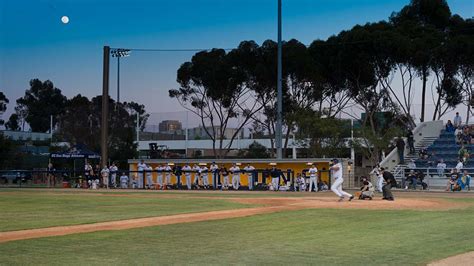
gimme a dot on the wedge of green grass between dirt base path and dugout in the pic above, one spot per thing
(38, 210)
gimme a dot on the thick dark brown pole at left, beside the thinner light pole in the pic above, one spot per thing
(105, 107)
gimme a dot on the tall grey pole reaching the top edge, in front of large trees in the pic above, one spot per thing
(278, 132)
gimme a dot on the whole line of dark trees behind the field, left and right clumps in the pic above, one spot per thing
(377, 68)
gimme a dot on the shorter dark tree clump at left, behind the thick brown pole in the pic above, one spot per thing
(77, 120)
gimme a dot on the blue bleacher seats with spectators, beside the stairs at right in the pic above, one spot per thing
(445, 148)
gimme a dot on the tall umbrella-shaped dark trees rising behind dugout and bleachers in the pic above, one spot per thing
(374, 67)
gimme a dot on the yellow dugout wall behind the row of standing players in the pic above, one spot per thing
(294, 165)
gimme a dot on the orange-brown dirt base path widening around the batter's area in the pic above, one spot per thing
(270, 205)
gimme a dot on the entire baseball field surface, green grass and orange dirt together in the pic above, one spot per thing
(75, 227)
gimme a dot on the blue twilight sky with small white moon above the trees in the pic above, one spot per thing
(35, 44)
